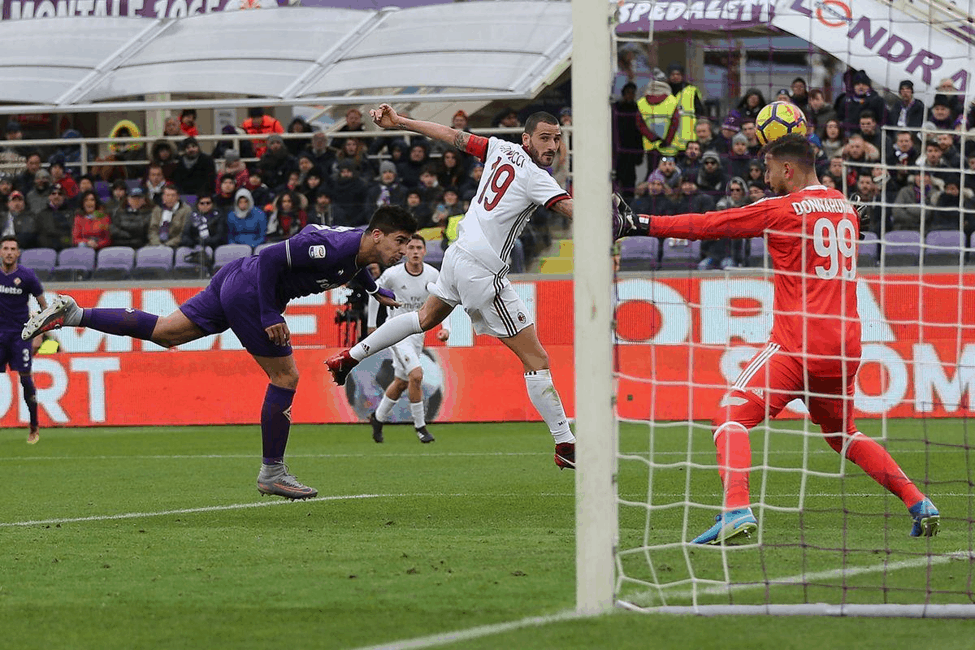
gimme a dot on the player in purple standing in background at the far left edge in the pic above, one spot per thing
(17, 285)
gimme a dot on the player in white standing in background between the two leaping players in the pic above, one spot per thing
(411, 282)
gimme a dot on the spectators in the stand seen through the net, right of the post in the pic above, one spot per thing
(910, 163)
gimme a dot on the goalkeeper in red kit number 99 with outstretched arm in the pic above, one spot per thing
(813, 352)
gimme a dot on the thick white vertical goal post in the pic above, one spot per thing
(596, 507)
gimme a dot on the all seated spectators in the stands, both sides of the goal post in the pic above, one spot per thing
(911, 163)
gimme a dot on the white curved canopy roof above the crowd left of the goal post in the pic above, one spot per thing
(287, 56)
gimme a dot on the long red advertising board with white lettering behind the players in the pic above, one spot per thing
(681, 342)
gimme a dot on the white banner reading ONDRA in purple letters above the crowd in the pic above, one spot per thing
(887, 43)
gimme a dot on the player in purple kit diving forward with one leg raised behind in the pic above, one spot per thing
(249, 296)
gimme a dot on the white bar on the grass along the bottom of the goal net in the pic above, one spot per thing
(814, 609)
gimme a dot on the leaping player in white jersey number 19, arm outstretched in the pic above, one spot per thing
(474, 270)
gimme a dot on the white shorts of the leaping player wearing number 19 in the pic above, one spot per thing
(488, 298)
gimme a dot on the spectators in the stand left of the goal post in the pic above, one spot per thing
(253, 192)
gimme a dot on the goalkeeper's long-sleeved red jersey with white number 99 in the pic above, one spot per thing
(812, 239)
